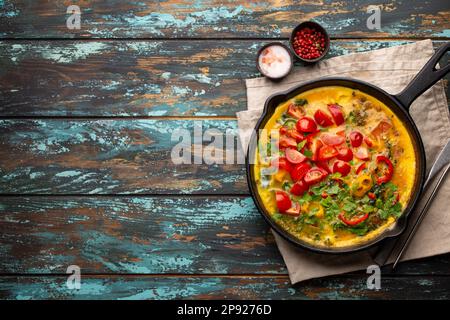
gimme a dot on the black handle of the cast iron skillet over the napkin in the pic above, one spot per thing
(426, 77)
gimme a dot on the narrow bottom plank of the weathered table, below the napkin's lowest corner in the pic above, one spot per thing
(248, 287)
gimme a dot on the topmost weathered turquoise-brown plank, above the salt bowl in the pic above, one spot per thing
(214, 18)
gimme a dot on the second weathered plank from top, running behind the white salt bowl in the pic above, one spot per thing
(134, 78)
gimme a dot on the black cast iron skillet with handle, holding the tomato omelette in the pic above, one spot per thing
(399, 104)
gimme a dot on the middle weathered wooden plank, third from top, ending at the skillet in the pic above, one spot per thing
(110, 157)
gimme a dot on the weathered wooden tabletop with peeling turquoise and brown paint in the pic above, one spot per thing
(85, 172)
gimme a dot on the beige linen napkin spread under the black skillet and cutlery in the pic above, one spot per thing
(391, 69)
